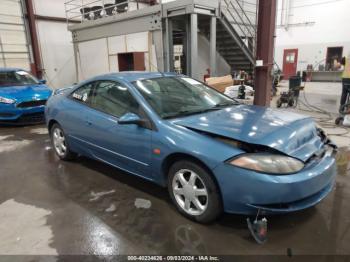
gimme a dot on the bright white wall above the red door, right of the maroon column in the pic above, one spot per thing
(330, 29)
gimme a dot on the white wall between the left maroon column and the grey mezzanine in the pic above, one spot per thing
(55, 43)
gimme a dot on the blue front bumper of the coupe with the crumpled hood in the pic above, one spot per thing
(245, 192)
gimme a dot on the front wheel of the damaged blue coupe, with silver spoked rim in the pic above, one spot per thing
(194, 192)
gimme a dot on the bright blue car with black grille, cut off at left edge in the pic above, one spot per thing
(22, 97)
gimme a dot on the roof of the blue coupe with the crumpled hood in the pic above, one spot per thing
(135, 75)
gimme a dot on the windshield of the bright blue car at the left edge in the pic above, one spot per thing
(17, 78)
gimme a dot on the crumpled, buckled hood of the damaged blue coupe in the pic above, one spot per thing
(292, 134)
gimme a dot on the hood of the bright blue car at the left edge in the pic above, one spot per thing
(25, 92)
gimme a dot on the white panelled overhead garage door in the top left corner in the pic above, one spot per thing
(14, 51)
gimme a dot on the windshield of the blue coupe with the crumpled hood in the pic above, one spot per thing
(173, 97)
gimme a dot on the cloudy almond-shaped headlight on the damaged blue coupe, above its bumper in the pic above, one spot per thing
(268, 163)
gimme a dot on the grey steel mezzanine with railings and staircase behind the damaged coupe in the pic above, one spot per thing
(170, 23)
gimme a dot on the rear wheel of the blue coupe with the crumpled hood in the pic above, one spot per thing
(60, 144)
